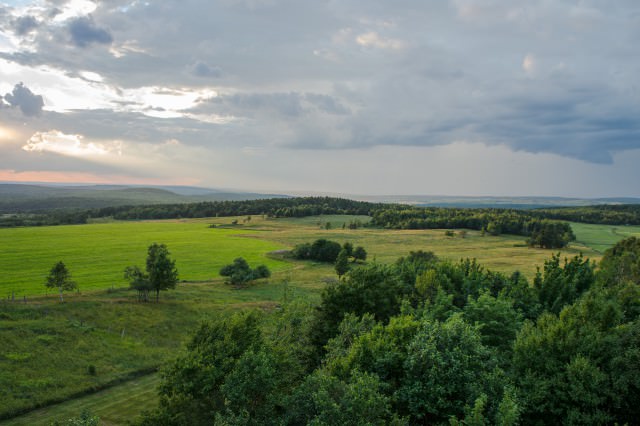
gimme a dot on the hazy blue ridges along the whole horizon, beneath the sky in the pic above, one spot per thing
(32, 197)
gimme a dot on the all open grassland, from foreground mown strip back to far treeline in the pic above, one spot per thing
(101, 336)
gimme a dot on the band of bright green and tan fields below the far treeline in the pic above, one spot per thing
(97, 254)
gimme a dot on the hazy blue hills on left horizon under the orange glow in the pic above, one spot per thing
(24, 198)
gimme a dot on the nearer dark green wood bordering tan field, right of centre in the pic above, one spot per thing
(541, 231)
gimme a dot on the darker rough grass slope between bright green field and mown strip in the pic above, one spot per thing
(48, 346)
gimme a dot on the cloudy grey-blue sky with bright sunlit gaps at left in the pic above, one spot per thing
(424, 97)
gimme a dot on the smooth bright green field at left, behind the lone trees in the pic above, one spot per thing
(97, 254)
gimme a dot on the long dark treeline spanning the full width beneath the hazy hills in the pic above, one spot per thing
(494, 221)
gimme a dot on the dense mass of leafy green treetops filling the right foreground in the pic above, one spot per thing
(423, 341)
